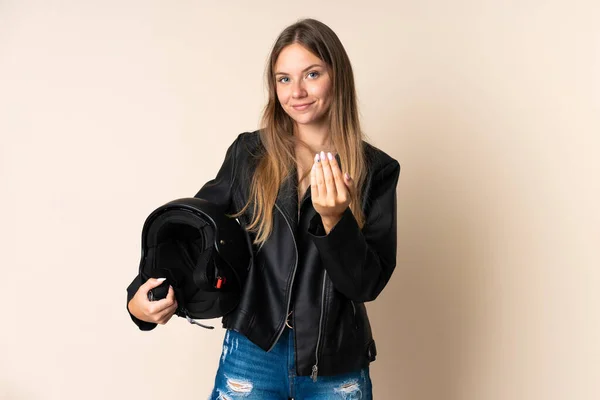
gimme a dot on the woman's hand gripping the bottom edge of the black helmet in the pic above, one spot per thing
(158, 312)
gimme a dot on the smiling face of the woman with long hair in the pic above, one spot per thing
(303, 85)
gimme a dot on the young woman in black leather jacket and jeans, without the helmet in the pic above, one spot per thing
(320, 205)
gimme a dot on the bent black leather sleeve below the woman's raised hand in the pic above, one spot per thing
(361, 262)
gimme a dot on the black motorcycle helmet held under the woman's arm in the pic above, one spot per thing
(203, 253)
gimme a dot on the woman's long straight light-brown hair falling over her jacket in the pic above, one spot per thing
(277, 129)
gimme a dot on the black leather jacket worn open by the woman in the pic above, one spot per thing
(324, 279)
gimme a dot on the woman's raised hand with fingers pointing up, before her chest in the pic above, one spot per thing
(330, 189)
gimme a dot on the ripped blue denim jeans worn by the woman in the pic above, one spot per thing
(248, 372)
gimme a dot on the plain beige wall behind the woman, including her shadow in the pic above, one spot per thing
(110, 108)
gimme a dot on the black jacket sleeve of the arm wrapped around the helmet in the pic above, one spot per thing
(218, 191)
